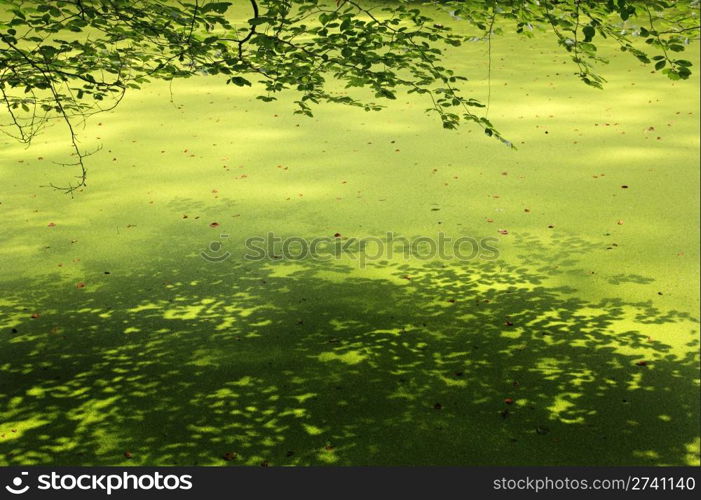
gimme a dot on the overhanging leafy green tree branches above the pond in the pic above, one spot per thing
(69, 59)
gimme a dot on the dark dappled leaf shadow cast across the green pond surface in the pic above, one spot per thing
(180, 361)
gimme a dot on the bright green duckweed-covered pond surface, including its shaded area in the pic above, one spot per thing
(577, 344)
